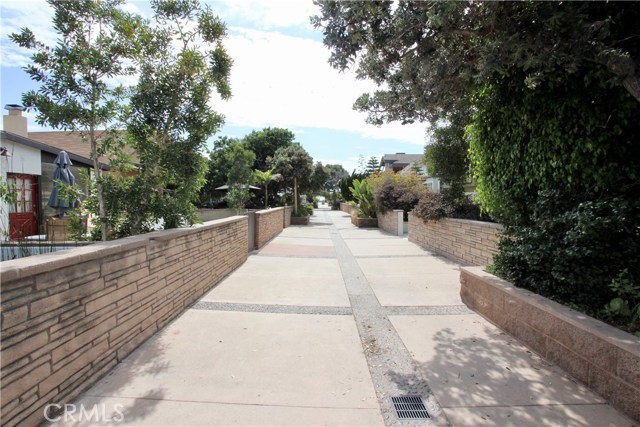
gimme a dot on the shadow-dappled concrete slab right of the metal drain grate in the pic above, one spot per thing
(471, 363)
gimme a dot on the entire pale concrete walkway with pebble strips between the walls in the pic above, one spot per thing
(321, 327)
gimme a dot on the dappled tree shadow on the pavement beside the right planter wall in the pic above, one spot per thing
(482, 376)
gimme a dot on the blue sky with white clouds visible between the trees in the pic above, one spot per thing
(280, 78)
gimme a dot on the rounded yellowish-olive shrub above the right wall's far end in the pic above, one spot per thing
(396, 191)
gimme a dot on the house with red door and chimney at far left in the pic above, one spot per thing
(28, 164)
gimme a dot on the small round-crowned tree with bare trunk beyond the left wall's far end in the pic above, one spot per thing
(295, 165)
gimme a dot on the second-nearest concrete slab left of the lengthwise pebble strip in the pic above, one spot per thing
(260, 280)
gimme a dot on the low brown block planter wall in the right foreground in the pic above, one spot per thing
(604, 358)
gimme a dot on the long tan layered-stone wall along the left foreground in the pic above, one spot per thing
(69, 317)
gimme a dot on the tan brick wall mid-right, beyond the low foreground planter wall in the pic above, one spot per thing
(467, 242)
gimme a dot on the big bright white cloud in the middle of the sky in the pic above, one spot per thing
(279, 80)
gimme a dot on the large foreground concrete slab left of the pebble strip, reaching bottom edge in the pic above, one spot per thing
(258, 368)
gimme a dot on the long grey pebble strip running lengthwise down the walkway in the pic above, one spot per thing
(392, 369)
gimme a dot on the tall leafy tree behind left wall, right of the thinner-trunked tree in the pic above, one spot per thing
(170, 118)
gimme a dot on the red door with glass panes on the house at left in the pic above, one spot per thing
(22, 213)
